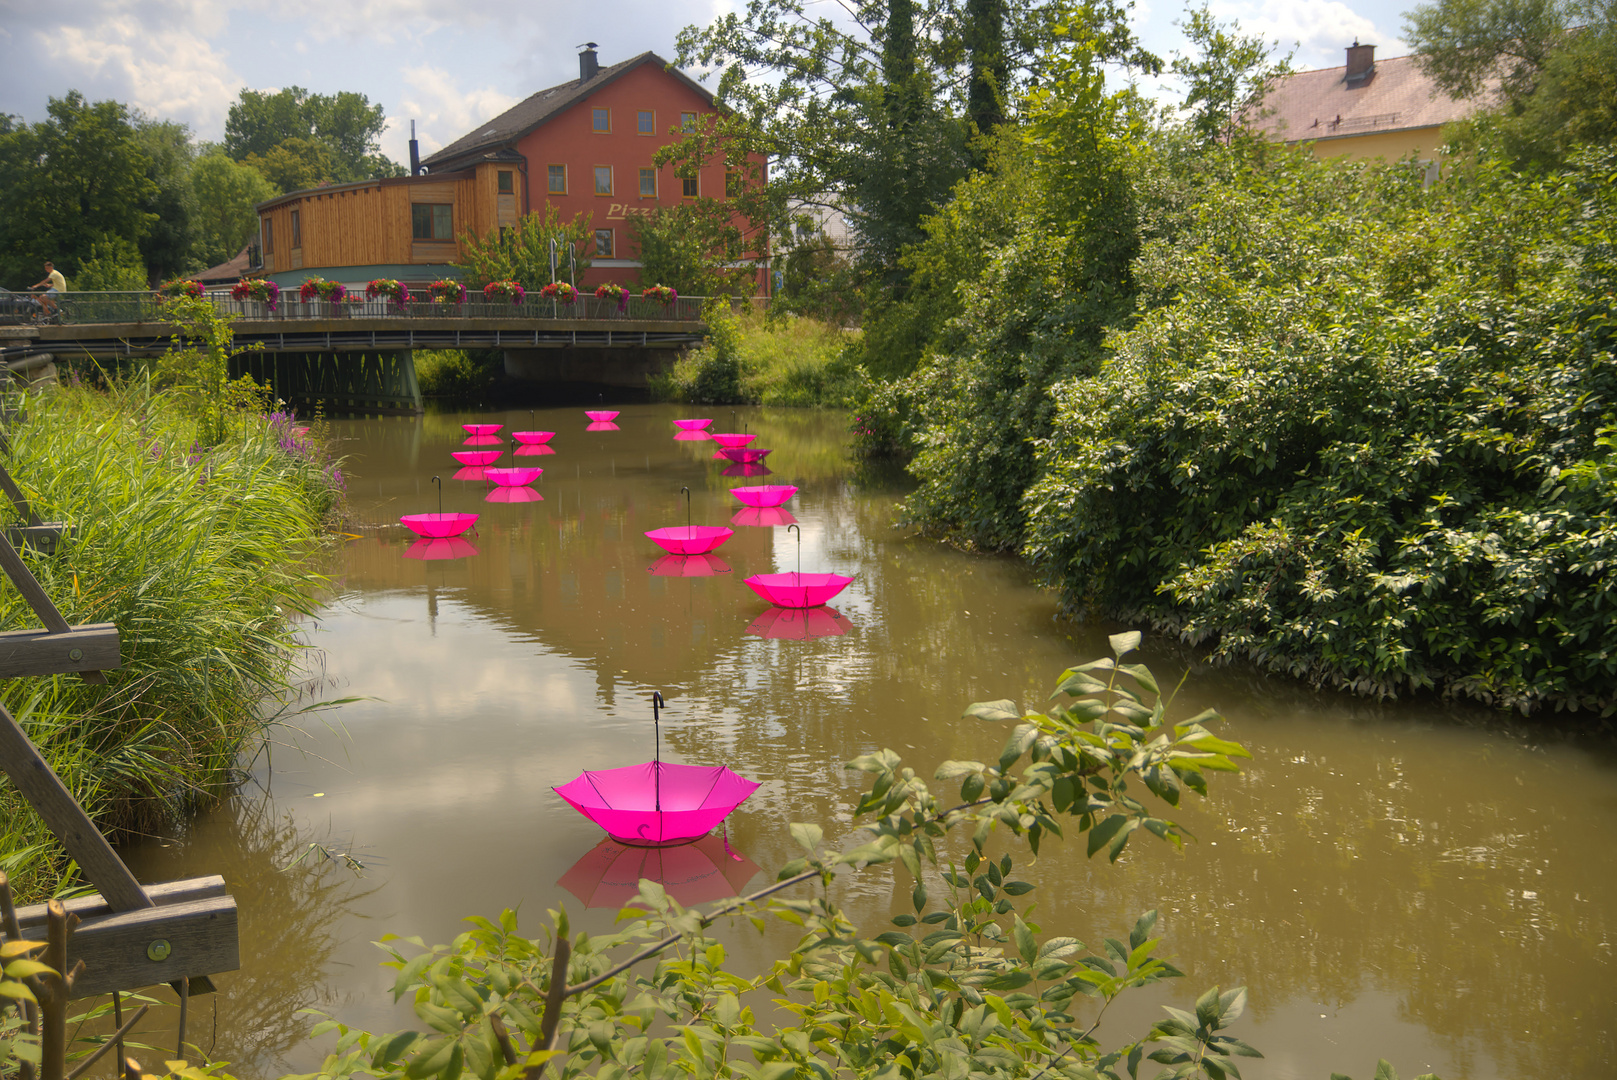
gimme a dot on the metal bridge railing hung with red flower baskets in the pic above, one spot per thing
(130, 308)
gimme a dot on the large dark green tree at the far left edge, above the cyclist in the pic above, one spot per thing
(72, 180)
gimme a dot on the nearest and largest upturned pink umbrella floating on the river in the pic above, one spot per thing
(657, 804)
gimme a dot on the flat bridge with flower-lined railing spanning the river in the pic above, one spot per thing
(358, 355)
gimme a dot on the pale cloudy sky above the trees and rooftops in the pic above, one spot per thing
(454, 65)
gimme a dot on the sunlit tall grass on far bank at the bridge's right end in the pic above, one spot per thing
(795, 361)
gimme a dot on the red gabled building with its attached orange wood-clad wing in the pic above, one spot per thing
(585, 146)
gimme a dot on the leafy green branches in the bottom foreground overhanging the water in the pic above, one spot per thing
(965, 987)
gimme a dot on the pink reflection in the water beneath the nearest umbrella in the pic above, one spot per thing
(696, 874)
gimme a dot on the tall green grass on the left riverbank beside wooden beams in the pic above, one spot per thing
(200, 557)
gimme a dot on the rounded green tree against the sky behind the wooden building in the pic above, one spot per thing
(347, 129)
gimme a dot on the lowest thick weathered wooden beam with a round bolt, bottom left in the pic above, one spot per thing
(203, 940)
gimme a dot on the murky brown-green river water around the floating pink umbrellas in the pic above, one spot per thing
(1425, 885)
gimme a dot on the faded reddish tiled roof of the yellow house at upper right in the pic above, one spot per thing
(1398, 96)
